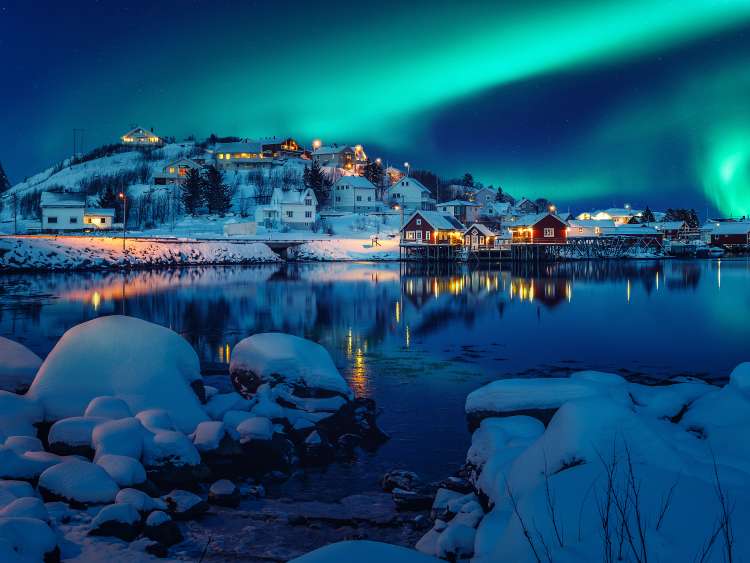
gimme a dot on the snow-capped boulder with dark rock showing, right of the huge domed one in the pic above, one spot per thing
(276, 358)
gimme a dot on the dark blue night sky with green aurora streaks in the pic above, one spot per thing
(586, 103)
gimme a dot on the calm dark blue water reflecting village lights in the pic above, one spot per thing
(418, 340)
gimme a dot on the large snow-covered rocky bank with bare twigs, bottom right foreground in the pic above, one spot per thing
(664, 444)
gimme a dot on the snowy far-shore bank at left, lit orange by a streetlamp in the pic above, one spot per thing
(81, 253)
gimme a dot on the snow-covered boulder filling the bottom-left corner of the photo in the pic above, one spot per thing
(24, 540)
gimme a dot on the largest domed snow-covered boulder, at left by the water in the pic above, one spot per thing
(144, 364)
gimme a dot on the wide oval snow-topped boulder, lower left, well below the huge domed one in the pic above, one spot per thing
(78, 483)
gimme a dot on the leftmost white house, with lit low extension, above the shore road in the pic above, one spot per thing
(66, 211)
